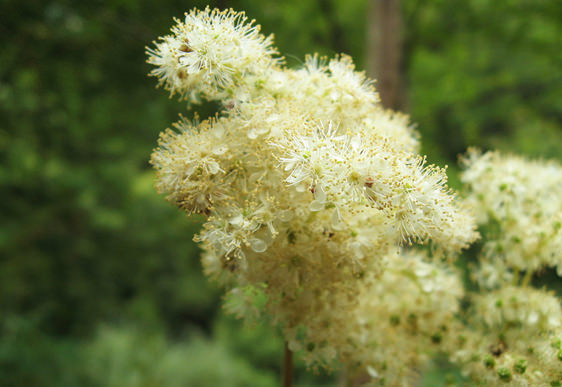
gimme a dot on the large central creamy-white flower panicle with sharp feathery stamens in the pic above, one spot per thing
(308, 187)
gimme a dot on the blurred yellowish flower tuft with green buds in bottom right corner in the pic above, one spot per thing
(515, 338)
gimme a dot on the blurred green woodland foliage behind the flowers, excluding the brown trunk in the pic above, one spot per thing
(100, 282)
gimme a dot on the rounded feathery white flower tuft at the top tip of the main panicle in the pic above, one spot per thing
(209, 52)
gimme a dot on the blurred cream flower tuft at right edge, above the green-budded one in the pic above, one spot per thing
(523, 199)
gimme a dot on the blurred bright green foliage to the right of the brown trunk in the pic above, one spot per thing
(486, 73)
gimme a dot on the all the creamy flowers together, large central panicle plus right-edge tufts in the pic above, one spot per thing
(309, 188)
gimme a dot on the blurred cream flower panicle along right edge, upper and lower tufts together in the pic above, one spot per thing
(515, 331)
